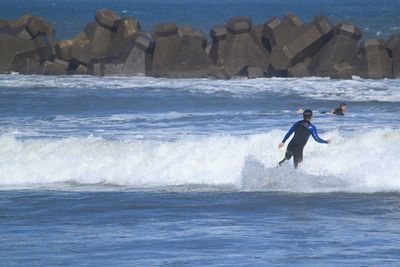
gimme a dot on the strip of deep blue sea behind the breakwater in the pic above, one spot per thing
(377, 18)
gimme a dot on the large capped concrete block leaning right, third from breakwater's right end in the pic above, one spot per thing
(342, 48)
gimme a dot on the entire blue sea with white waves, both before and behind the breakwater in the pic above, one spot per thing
(157, 172)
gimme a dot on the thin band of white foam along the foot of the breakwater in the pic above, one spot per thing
(316, 88)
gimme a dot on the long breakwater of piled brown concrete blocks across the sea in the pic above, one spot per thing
(111, 45)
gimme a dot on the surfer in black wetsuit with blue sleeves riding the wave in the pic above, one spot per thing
(302, 131)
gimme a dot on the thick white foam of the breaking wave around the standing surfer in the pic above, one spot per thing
(366, 162)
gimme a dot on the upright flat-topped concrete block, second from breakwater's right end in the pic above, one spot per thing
(375, 61)
